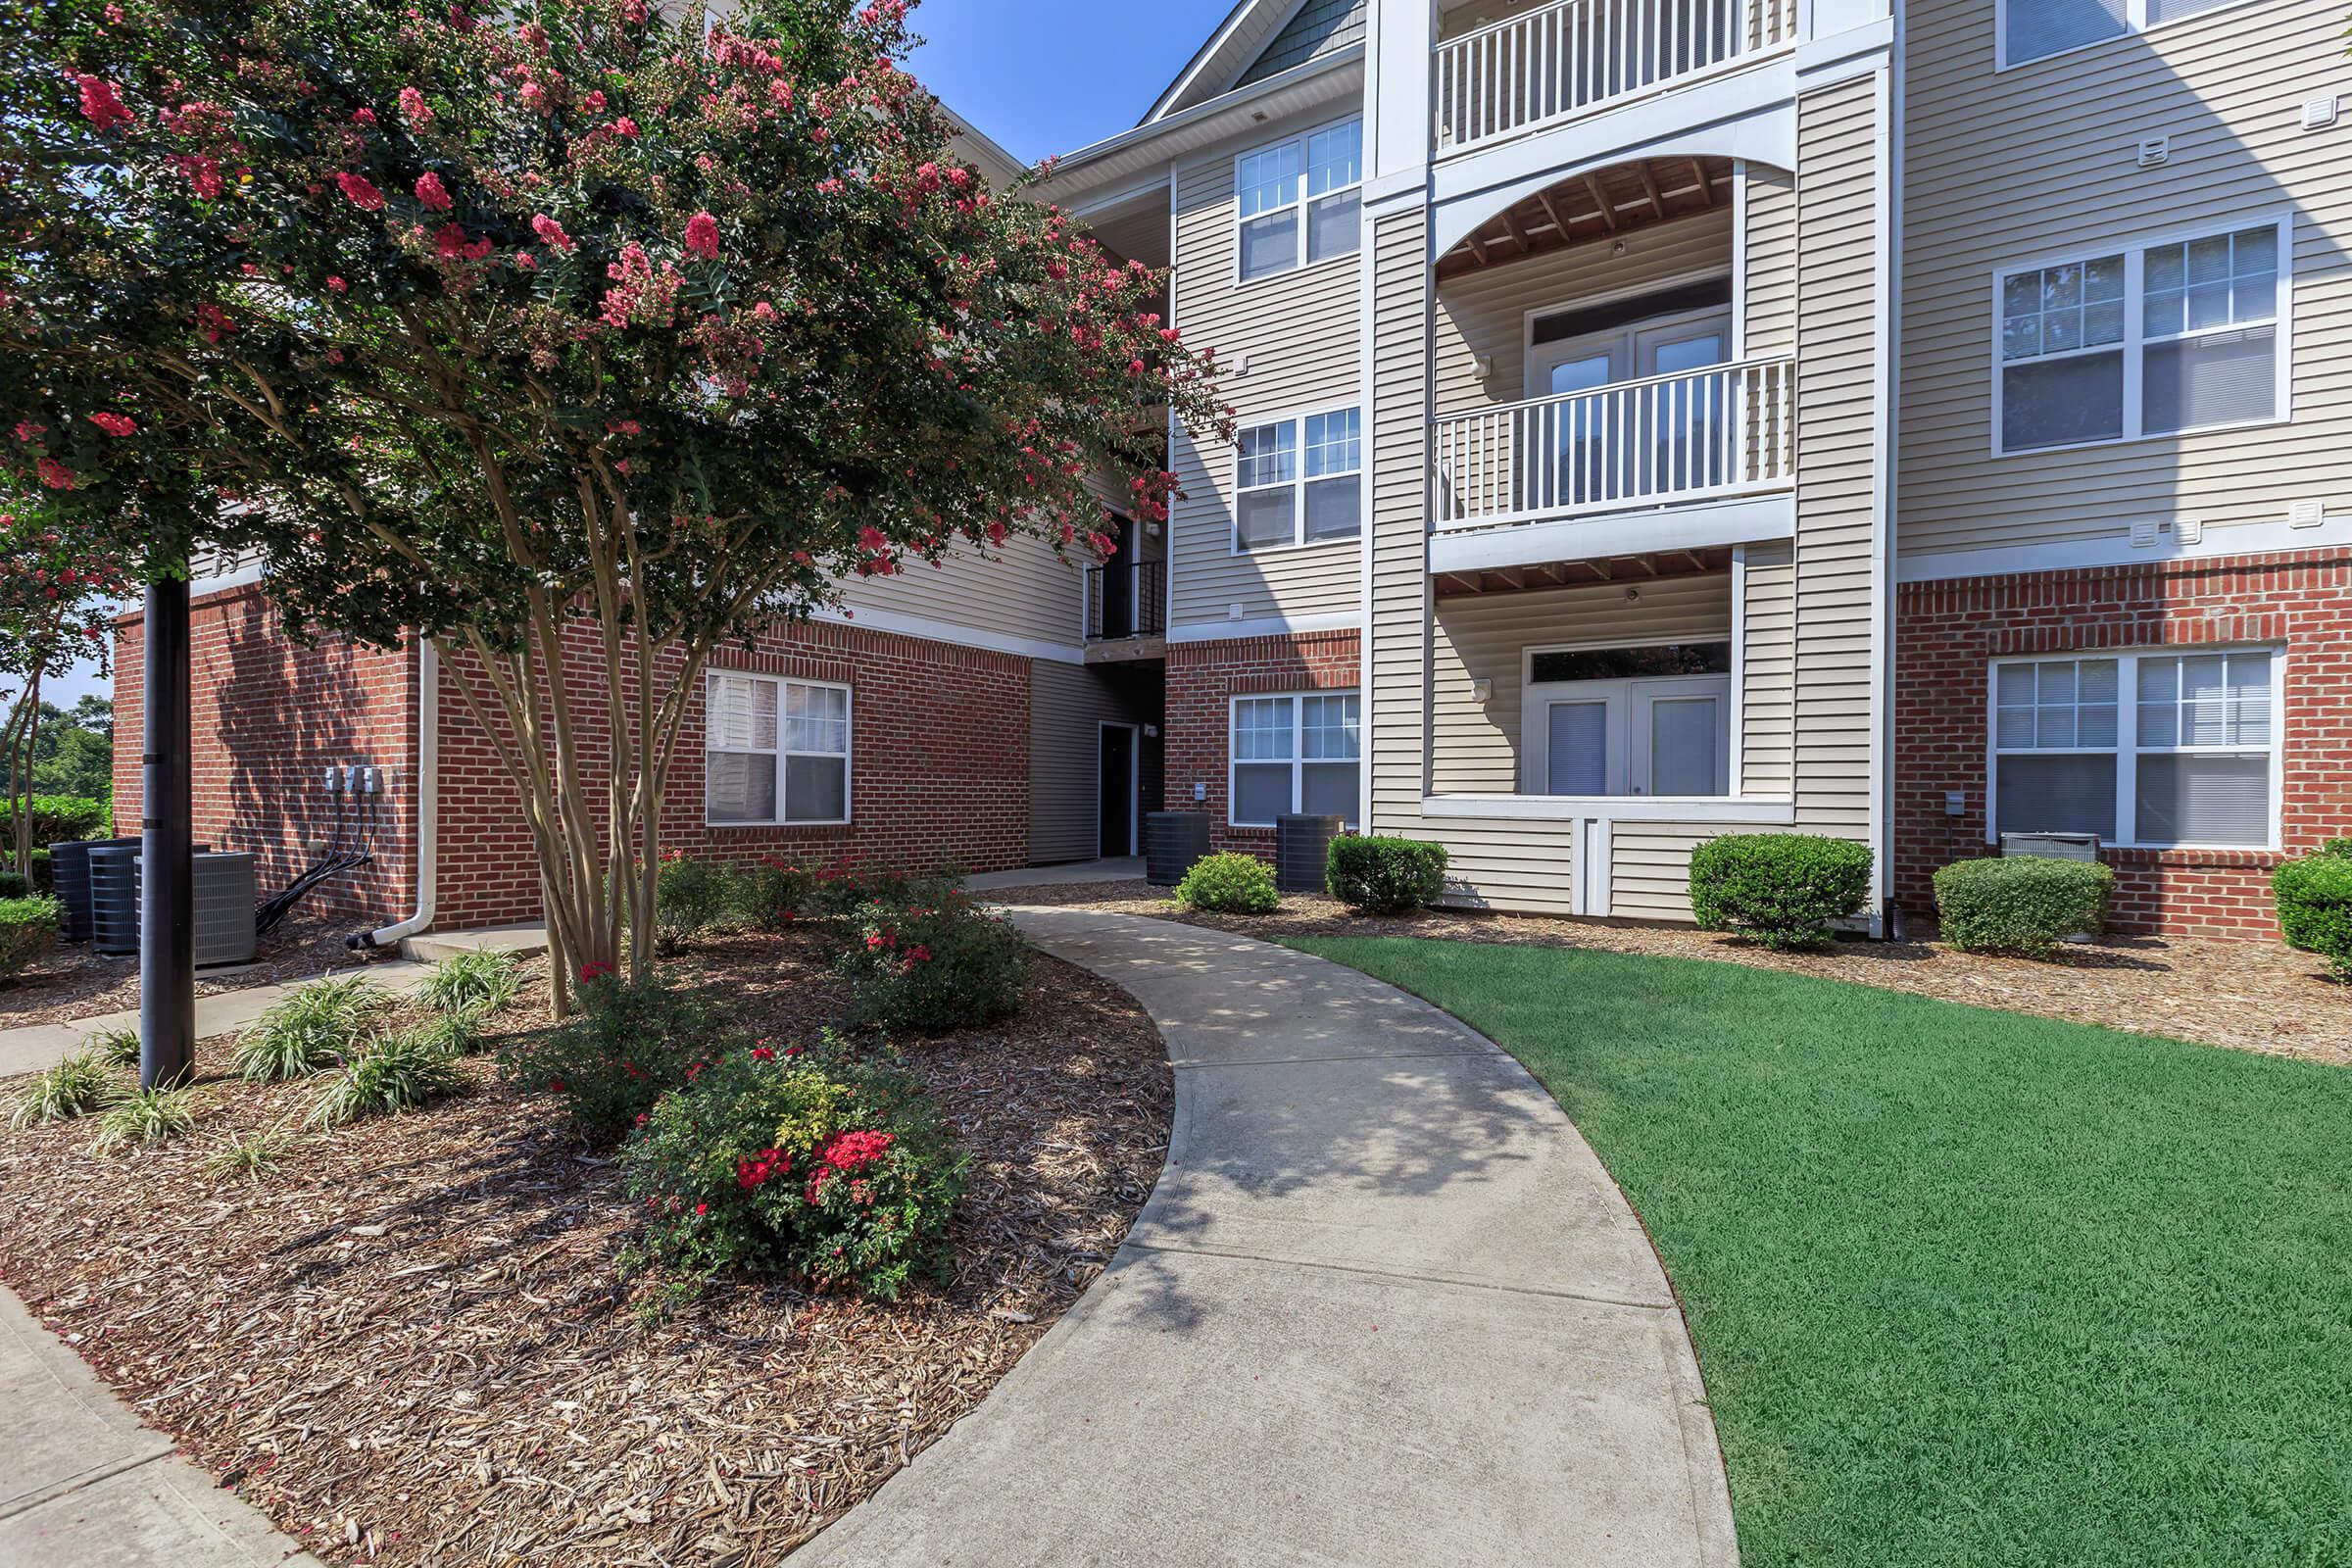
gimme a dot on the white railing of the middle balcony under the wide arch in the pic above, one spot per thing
(1699, 436)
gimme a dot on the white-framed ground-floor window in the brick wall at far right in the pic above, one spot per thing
(2139, 749)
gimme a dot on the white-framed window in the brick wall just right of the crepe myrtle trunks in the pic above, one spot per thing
(775, 751)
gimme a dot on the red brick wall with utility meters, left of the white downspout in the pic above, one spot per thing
(267, 718)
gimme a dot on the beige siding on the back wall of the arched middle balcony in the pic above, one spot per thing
(1485, 311)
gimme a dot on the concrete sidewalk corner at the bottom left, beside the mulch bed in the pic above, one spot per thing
(88, 1487)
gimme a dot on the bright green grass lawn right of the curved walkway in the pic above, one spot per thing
(1967, 1287)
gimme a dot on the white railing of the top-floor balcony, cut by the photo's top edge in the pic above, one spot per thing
(1582, 55)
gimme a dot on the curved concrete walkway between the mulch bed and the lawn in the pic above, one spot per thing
(1384, 1308)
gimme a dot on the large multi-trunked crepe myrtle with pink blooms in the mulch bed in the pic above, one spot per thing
(561, 326)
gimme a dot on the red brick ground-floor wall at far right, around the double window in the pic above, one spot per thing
(1949, 634)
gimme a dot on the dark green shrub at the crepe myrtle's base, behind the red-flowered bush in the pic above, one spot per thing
(622, 1052)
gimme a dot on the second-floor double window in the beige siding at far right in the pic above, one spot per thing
(2141, 342)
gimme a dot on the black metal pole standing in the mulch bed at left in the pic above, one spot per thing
(166, 838)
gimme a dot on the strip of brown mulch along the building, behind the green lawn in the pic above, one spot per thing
(2226, 993)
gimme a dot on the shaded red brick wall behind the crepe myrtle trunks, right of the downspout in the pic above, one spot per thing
(937, 772)
